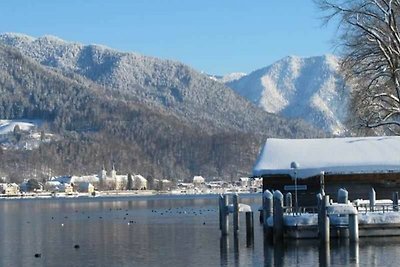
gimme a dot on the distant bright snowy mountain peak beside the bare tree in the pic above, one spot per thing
(294, 87)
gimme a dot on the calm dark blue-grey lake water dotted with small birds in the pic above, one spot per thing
(159, 231)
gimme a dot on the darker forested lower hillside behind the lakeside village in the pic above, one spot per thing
(97, 126)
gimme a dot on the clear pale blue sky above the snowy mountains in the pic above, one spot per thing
(213, 36)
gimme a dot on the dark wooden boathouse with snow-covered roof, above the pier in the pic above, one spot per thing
(353, 163)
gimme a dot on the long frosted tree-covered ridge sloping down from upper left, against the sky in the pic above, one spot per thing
(162, 84)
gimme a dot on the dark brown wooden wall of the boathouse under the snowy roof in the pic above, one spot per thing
(358, 185)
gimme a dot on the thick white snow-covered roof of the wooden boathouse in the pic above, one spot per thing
(331, 155)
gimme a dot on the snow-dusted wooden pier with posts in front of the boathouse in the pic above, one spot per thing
(329, 220)
